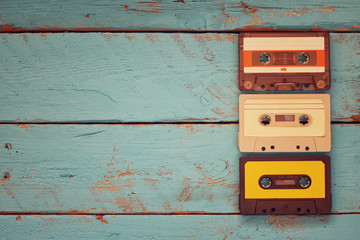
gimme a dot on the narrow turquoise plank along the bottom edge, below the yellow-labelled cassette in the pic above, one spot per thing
(180, 227)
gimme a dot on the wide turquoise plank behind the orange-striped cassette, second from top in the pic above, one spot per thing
(142, 77)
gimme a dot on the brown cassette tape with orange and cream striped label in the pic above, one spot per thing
(284, 61)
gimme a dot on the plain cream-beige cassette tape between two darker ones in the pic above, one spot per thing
(284, 123)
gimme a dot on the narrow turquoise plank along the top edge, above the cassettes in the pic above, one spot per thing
(17, 15)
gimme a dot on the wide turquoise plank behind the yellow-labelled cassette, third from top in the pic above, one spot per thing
(142, 168)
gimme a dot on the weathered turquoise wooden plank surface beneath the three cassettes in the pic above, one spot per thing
(119, 119)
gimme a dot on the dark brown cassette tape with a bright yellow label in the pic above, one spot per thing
(285, 185)
